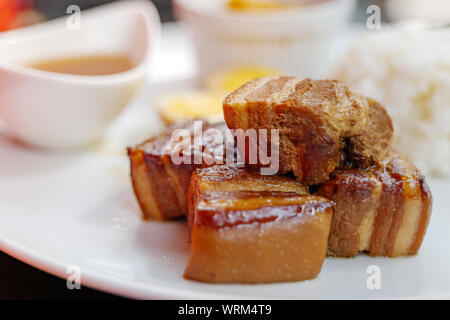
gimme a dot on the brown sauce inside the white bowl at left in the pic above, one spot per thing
(98, 65)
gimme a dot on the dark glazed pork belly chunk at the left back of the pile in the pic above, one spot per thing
(159, 184)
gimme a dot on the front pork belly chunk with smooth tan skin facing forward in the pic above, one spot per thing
(249, 228)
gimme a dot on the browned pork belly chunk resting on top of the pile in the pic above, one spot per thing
(318, 121)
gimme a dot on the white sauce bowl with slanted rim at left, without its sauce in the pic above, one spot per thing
(62, 110)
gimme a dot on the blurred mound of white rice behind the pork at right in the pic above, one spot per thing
(408, 72)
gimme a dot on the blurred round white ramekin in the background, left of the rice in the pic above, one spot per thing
(295, 41)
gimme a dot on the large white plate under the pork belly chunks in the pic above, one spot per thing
(58, 210)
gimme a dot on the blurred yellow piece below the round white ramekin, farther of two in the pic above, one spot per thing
(230, 80)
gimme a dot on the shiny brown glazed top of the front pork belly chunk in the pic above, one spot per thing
(229, 195)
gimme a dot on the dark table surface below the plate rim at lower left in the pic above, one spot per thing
(20, 281)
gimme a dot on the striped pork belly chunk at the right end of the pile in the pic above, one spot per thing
(383, 211)
